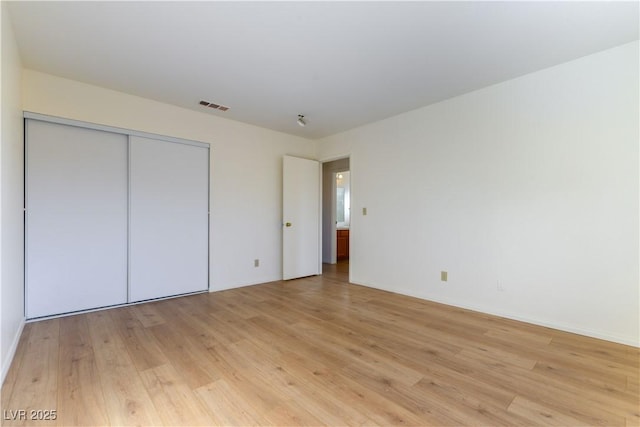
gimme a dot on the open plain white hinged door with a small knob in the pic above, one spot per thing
(301, 218)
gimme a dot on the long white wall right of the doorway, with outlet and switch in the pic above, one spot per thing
(526, 192)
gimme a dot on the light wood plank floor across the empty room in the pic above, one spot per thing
(315, 351)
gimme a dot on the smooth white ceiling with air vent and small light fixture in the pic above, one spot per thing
(340, 64)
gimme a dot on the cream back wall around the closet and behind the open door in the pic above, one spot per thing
(246, 161)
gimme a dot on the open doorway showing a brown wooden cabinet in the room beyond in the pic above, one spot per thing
(336, 194)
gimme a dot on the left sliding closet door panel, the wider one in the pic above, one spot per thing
(76, 229)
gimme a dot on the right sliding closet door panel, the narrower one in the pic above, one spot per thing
(169, 231)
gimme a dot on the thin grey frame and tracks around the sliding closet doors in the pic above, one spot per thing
(127, 133)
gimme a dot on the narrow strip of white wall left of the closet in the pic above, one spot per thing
(11, 189)
